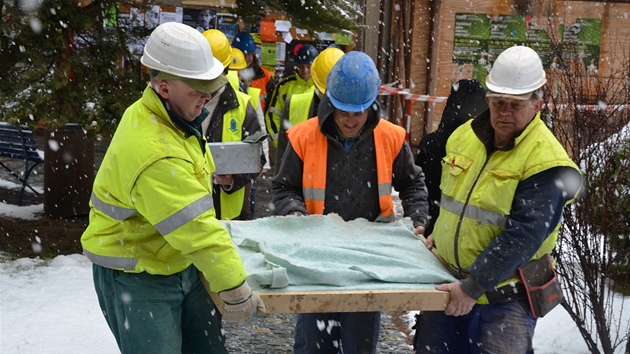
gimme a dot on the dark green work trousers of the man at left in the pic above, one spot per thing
(159, 314)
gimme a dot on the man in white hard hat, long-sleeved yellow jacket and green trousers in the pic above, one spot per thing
(153, 233)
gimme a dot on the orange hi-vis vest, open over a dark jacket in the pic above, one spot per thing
(312, 148)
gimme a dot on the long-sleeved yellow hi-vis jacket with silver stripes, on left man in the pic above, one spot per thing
(136, 225)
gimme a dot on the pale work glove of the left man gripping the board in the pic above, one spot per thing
(240, 304)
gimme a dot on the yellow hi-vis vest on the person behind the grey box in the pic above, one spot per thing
(232, 204)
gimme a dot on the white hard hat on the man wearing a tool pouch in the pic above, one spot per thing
(517, 71)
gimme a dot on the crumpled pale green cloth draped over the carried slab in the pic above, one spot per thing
(322, 251)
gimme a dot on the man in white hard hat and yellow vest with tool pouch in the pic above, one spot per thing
(505, 182)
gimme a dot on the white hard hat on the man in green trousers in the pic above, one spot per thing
(180, 50)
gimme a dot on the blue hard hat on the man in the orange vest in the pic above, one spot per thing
(353, 83)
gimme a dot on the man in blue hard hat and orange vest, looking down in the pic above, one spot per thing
(346, 161)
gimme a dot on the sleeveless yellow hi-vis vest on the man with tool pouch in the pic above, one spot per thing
(478, 190)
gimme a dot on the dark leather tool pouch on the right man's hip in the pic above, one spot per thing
(541, 285)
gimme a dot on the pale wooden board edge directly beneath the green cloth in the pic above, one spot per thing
(354, 301)
